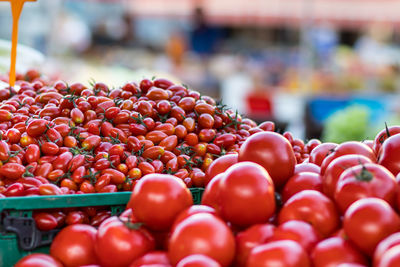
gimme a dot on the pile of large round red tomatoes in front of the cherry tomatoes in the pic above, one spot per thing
(338, 206)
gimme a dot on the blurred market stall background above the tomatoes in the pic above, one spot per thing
(325, 69)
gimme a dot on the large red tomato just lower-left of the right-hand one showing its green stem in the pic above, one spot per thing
(313, 207)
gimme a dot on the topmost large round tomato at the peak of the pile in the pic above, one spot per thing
(272, 151)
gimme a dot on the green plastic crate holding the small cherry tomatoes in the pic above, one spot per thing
(18, 211)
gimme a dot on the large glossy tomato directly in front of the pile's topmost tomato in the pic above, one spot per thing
(247, 195)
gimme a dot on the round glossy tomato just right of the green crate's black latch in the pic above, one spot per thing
(74, 245)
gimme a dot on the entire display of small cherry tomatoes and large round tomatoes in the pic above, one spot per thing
(269, 199)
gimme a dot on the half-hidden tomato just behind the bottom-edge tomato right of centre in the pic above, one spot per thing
(299, 231)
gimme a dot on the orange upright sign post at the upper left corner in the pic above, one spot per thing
(16, 8)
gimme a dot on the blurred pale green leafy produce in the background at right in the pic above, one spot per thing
(352, 124)
